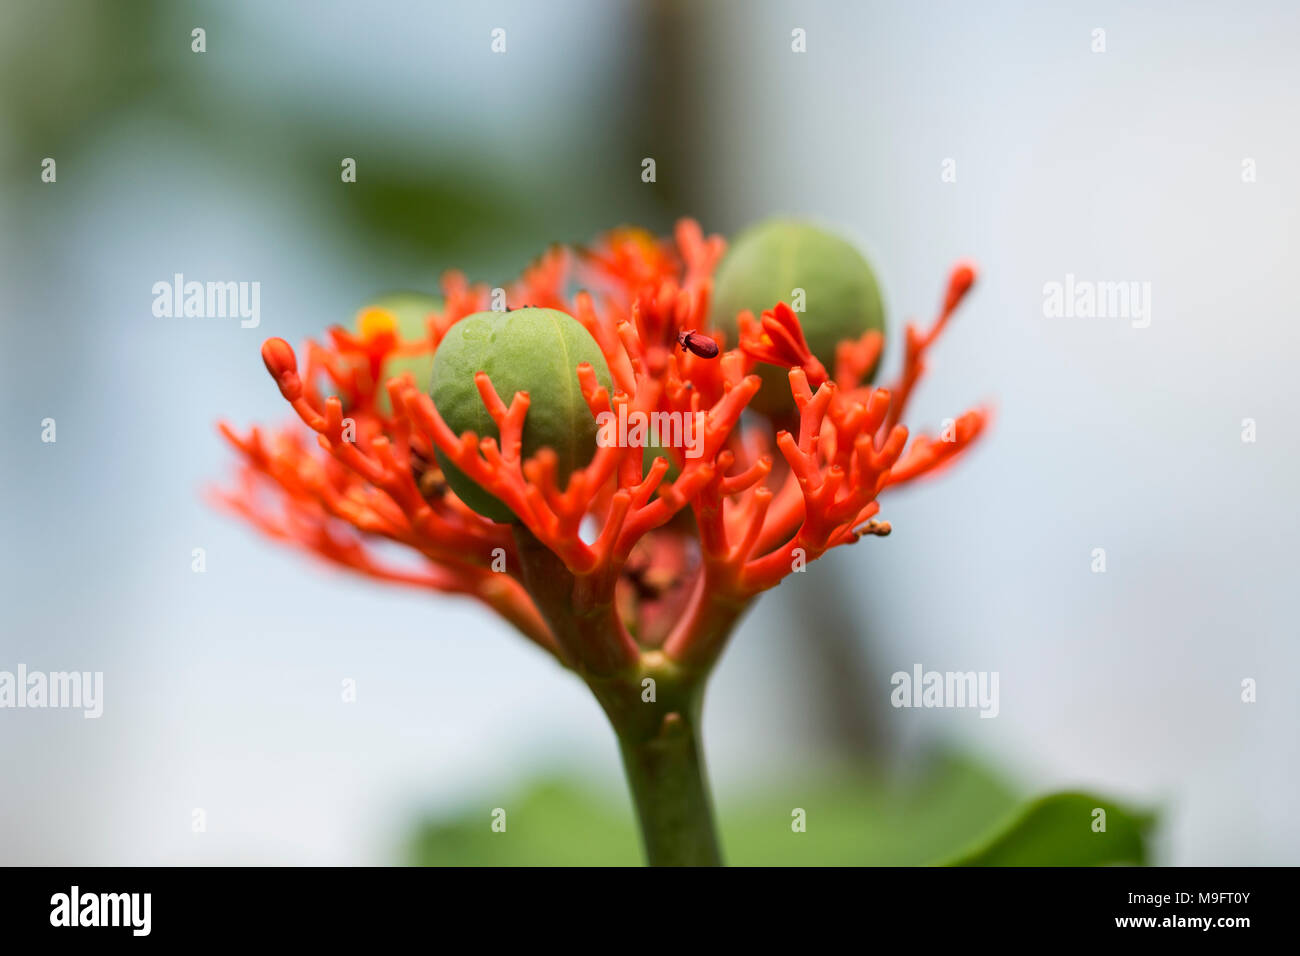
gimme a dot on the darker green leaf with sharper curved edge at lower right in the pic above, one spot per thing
(1059, 830)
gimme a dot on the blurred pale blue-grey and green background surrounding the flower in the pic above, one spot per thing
(223, 689)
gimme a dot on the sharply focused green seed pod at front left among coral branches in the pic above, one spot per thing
(534, 351)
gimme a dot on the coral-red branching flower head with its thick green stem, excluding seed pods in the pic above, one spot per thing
(639, 568)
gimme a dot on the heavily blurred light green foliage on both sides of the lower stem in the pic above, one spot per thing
(851, 820)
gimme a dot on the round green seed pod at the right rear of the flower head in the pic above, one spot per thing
(766, 265)
